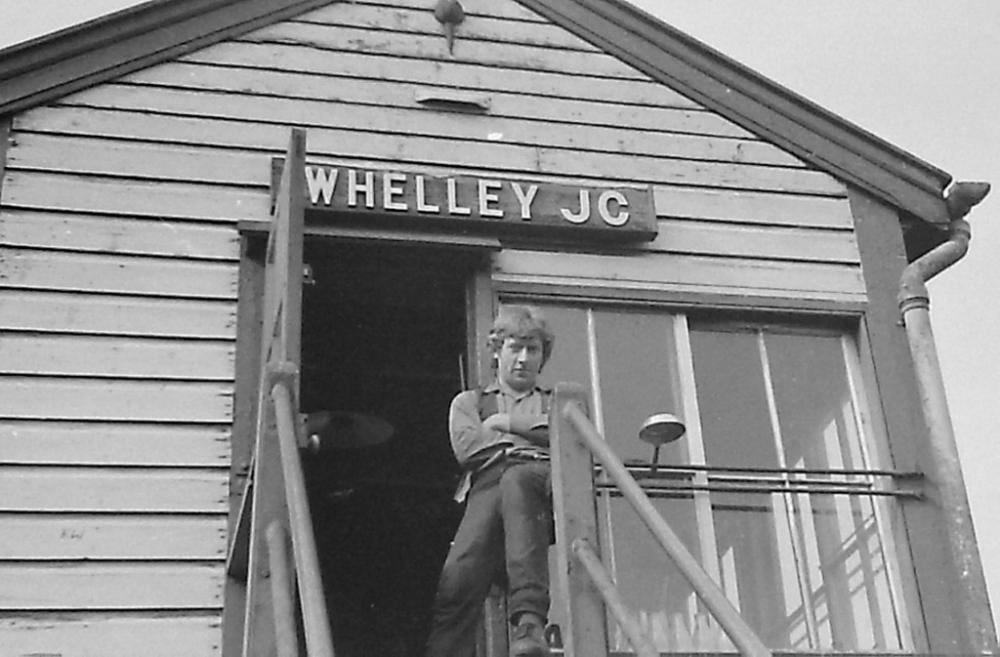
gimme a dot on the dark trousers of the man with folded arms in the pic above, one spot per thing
(506, 529)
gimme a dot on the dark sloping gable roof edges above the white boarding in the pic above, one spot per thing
(47, 68)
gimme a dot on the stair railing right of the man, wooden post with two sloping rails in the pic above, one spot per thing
(588, 586)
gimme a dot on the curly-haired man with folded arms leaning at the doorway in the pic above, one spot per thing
(500, 437)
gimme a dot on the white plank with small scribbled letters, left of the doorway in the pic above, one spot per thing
(27, 537)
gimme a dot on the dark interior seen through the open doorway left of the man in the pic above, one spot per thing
(383, 336)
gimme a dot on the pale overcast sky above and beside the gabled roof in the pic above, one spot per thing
(923, 75)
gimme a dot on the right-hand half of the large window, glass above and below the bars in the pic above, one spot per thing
(775, 399)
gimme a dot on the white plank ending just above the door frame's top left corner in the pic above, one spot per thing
(134, 197)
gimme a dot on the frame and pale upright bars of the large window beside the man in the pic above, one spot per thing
(849, 324)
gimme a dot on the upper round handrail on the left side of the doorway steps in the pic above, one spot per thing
(315, 622)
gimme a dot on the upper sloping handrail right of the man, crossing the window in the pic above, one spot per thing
(741, 634)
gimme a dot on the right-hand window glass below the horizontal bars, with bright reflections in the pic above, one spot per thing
(841, 573)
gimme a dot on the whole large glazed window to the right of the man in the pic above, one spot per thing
(780, 485)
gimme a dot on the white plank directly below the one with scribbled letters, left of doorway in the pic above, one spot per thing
(110, 586)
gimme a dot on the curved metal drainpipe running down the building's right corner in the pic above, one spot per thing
(979, 633)
